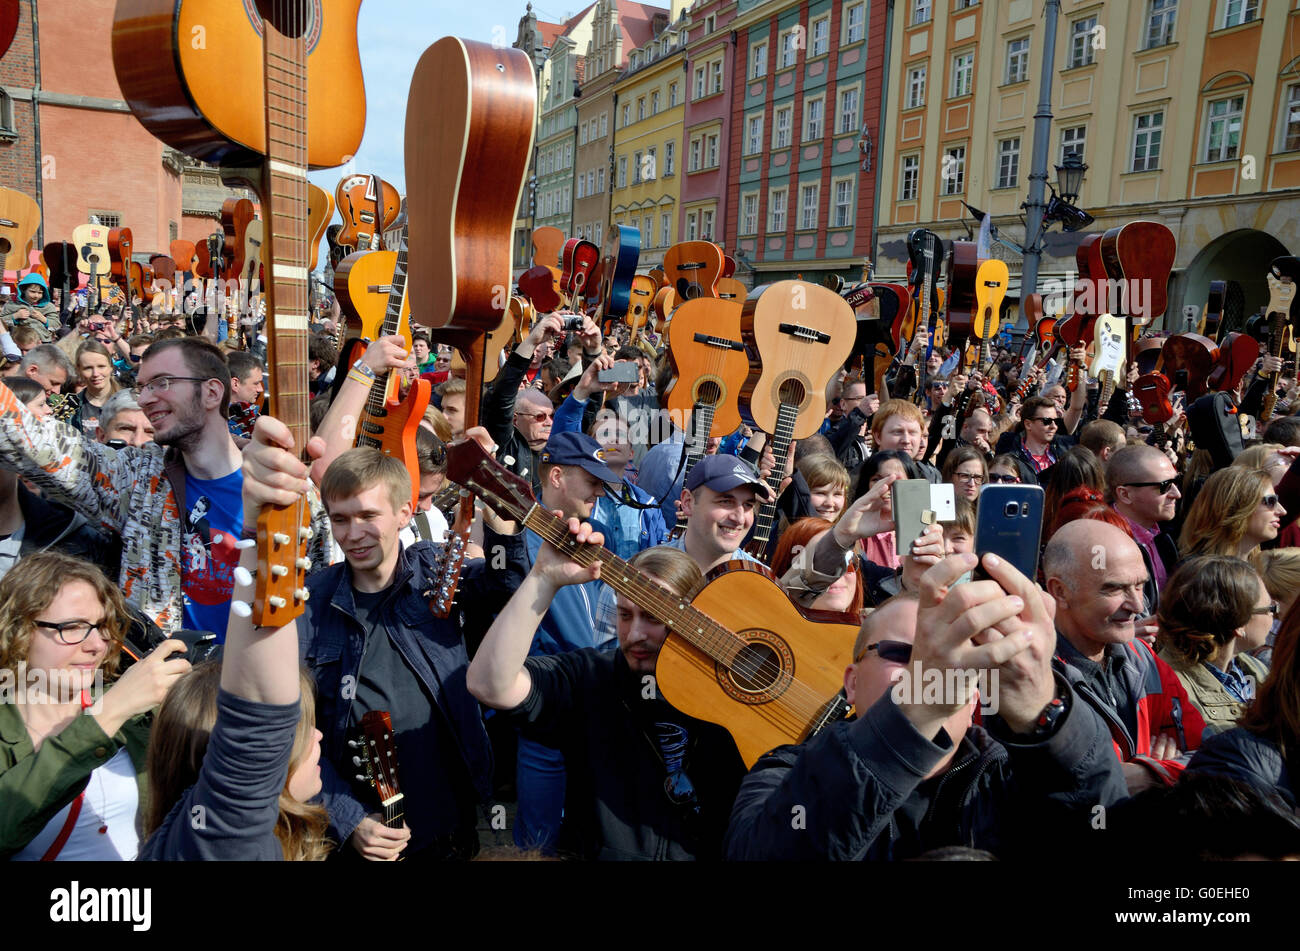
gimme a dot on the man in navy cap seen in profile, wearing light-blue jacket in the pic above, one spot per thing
(573, 475)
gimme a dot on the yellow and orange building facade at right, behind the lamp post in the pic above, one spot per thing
(1186, 114)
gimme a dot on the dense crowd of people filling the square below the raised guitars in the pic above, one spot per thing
(1151, 667)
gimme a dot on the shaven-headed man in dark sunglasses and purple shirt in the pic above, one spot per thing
(1142, 485)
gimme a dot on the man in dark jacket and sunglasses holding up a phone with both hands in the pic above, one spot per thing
(911, 774)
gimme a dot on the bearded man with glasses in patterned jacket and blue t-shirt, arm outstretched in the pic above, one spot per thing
(177, 570)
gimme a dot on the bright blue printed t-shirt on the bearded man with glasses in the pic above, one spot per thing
(209, 554)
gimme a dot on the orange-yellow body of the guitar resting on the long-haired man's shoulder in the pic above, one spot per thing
(761, 713)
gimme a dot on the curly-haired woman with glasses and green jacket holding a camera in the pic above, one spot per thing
(73, 753)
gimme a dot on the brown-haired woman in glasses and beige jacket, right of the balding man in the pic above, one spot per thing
(1214, 611)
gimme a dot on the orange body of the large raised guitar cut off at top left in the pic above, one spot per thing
(205, 98)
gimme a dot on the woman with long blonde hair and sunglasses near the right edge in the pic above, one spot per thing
(1236, 513)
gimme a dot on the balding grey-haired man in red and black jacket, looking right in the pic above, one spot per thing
(1098, 577)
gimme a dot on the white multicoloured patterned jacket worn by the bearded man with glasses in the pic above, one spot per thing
(133, 493)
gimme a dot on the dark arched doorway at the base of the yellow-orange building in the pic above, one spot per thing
(1242, 255)
